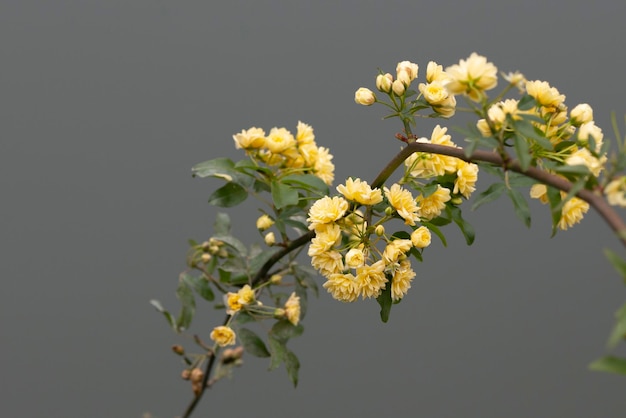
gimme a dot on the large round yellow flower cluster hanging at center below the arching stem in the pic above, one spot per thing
(345, 250)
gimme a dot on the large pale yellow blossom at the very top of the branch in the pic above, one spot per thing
(472, 76)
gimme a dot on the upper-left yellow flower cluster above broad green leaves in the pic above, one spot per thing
(280, 149)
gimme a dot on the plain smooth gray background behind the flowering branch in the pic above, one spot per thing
(105, 106)
